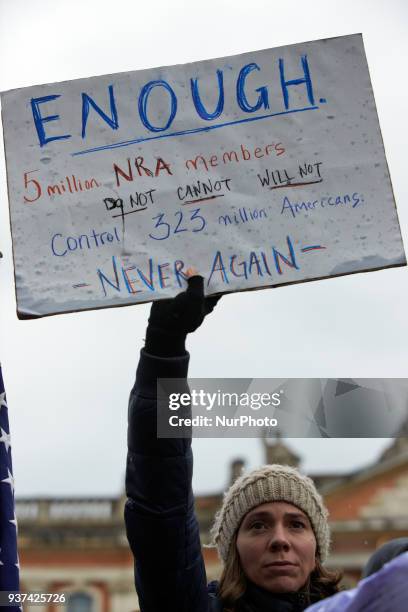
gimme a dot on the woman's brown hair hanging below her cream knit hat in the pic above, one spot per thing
(233, 582)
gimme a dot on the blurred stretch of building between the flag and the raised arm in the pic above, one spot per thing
(78, 547)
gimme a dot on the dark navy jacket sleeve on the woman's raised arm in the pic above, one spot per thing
(161, 525)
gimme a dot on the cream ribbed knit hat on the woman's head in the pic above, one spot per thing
(267, 484)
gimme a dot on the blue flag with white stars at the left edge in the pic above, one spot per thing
(9, 566)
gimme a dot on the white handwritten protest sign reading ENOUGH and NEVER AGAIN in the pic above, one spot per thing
(260, 170)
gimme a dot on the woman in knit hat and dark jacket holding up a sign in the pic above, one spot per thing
(272, 531)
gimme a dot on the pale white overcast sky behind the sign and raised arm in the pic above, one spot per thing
(68, 377)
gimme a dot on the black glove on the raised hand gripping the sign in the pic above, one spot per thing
(171, 320)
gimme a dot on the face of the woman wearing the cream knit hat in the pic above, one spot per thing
(277, 547)
